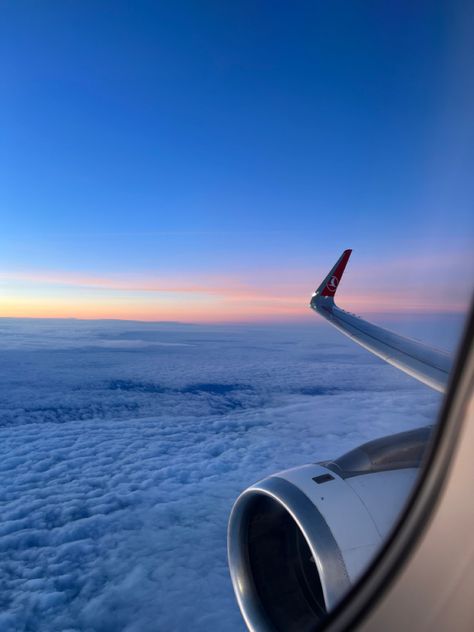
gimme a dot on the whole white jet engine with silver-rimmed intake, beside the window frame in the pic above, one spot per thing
(299, 539)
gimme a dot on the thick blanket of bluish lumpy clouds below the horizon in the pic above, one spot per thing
(124, 445)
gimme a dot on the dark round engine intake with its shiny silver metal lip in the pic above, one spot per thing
(282, 580)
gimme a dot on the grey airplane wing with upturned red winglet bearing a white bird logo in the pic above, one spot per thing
(430, 366)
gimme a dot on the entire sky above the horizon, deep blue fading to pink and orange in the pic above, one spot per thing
(209, 161)
